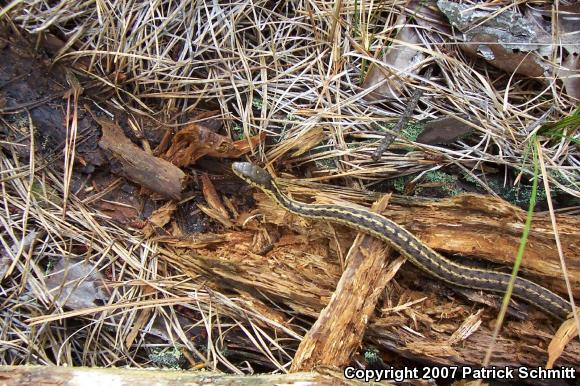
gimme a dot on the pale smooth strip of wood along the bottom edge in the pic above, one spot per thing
(62, 376)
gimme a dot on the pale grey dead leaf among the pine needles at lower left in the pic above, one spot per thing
(76, 284)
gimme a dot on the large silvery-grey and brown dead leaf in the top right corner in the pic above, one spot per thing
(519, 43)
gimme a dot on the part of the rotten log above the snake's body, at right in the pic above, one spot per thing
(489, 228)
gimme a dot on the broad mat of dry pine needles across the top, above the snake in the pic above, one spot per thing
(272, 66)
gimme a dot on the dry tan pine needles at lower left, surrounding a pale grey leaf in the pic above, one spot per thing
(34, 329)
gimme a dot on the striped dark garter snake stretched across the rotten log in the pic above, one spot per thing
(408, 245)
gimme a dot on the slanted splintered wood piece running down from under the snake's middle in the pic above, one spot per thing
(341, 325)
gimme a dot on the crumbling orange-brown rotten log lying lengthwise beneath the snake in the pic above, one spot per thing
(301, 270)
